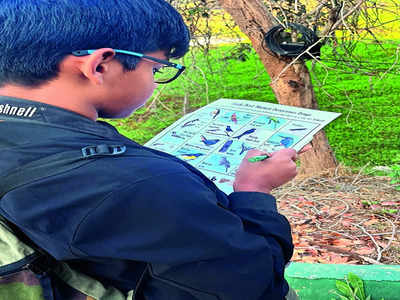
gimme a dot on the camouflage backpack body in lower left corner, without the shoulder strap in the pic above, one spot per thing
(27, 274)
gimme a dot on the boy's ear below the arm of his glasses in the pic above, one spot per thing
(95, 65)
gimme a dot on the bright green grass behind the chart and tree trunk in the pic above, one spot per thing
(367, 132)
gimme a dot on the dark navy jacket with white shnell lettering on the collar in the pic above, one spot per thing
(114, 215)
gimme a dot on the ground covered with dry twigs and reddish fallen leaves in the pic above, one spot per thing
(341, 217)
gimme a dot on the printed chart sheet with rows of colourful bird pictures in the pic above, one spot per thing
(215, 138)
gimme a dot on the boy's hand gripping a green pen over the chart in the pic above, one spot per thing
(263, 176)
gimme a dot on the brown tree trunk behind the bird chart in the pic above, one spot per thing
(292, 87)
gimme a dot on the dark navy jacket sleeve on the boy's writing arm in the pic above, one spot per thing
(196, 249)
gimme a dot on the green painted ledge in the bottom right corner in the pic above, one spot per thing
(317, 281)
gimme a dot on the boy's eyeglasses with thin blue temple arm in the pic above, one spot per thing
(167, 73)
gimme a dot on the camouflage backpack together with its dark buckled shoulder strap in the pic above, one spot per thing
(27, 272)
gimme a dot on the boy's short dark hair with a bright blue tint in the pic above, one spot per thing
(35, 35)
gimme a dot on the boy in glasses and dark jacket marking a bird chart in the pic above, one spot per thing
(141, 220)
